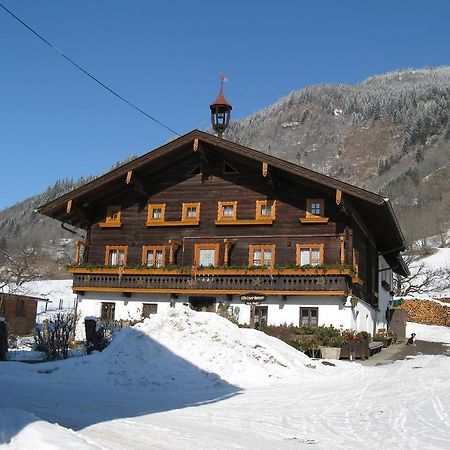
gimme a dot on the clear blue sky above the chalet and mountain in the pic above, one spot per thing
(166, 57)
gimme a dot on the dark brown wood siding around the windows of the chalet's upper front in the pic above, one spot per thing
(175, 187)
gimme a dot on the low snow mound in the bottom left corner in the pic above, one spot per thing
(22, 430)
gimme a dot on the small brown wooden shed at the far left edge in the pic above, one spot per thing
(19, 312)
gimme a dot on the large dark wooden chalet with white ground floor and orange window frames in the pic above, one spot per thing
(205, 221)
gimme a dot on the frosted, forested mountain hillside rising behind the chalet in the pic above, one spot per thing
(389, 134)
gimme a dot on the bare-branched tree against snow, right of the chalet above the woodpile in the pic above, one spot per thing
(422, 280)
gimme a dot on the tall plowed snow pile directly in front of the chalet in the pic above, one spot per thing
(184, 348)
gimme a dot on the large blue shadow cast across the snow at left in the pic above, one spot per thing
(125, 380)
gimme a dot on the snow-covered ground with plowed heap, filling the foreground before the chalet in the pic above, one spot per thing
(190, 380)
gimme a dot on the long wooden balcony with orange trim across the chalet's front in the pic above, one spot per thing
(214, 280)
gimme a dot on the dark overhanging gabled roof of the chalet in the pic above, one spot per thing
(382, 224)
